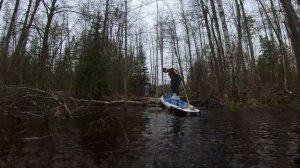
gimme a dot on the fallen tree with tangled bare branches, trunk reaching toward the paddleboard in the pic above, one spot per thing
(26, 103)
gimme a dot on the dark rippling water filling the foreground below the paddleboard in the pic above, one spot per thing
(151, 137)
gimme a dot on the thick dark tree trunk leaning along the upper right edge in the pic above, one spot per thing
(294, 26)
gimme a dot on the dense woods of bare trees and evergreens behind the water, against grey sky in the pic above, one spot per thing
(236, 49)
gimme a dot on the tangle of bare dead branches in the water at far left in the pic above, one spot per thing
(17, 101)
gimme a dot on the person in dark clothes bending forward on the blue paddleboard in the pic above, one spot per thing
(175, 80)
